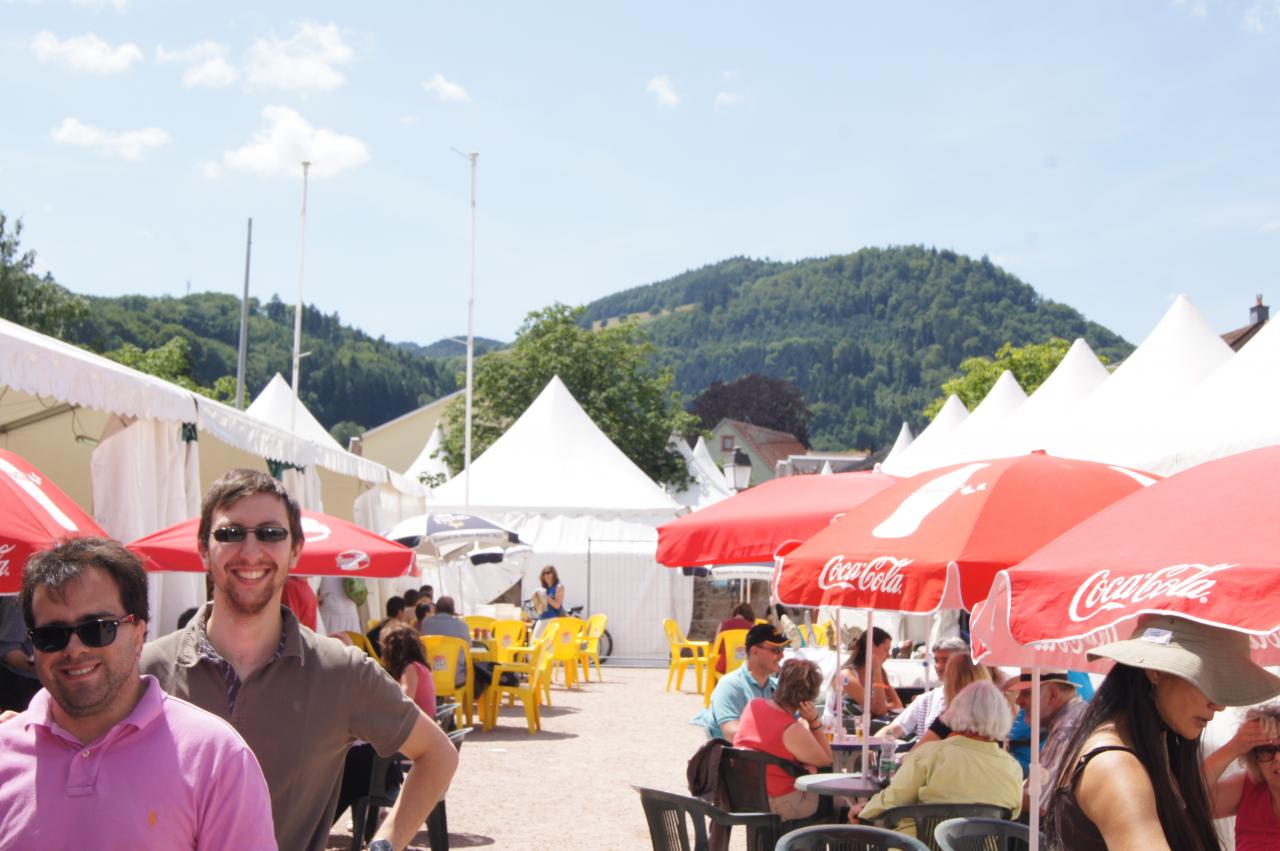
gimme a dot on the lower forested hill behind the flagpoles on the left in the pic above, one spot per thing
(348, 377)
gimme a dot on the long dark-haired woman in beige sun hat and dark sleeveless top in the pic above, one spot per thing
(1133, 776)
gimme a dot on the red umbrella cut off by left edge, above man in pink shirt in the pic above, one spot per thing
(34, 514)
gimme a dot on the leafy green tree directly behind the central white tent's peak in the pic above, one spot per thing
(610, 373)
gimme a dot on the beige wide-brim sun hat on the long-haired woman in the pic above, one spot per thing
(1213, 660)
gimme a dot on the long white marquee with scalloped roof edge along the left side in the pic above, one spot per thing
(121, 443)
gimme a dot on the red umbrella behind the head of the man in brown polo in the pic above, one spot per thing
(332, 548)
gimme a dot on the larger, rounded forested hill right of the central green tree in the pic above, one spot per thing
(868, 338)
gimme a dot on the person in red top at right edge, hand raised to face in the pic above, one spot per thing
(1254, 795)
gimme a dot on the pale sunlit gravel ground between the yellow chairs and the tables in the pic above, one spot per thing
(569, 786)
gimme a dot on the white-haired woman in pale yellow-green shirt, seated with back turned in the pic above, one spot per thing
(967, 767)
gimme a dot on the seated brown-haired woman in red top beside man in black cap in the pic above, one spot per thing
(771, 726)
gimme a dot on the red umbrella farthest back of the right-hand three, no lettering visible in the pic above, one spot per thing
(752, 525)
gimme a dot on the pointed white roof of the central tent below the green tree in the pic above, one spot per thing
(555, 460)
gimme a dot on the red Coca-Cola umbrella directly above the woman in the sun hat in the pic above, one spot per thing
(1204, 545)
